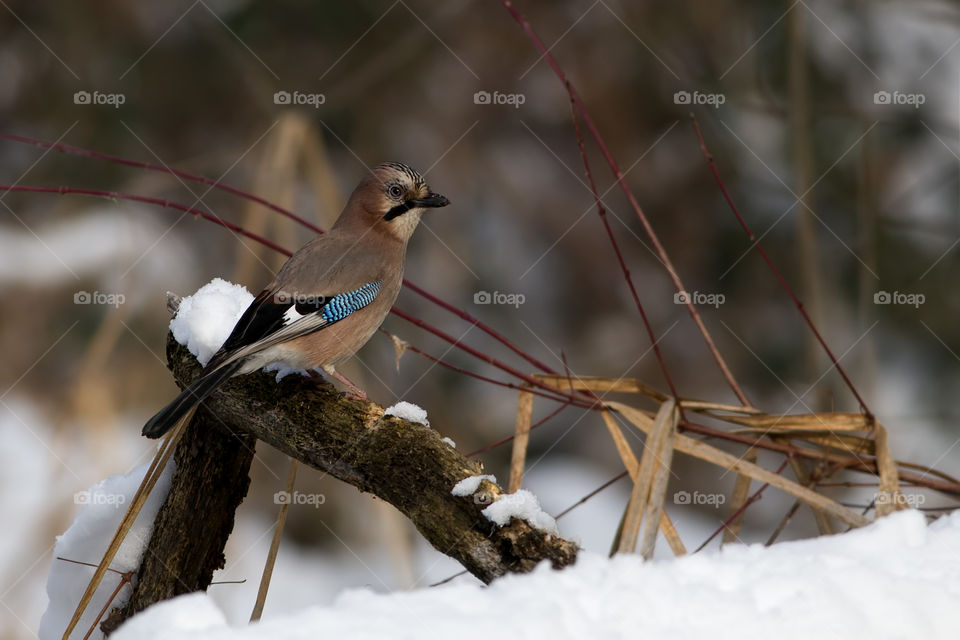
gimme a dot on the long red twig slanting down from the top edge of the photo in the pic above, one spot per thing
(614, 167)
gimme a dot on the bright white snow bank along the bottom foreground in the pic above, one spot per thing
(897, 578)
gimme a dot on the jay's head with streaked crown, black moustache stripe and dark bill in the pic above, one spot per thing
(391, 198)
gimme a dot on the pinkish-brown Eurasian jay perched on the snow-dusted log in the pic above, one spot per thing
(330, 296)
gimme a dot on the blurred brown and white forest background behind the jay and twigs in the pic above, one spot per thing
(834, 124)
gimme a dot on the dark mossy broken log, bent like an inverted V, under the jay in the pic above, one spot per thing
(404, 463)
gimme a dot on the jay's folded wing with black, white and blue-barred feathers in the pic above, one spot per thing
(274, 317)
